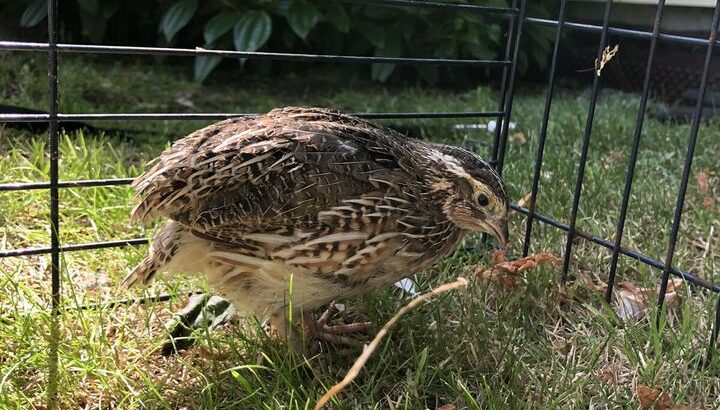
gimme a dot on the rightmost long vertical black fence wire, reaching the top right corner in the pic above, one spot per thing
(692, 140)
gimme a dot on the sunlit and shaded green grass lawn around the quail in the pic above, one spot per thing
(540, 345)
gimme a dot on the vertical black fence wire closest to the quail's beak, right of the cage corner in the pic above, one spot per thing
(543, 130)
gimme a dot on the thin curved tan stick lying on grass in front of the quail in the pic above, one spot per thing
(368, 350)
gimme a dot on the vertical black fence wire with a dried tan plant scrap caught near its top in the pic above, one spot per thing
(586, 145)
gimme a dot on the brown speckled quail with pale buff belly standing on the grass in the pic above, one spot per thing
(336, 203)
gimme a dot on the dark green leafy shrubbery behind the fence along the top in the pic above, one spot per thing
(300, 26)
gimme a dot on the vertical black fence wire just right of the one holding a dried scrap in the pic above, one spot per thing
(634, 152)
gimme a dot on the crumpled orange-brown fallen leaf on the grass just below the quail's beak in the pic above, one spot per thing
(505, 271)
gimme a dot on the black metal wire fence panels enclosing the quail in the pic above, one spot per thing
(517, 19)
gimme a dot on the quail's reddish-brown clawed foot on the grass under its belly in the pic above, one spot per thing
(319, 330)
